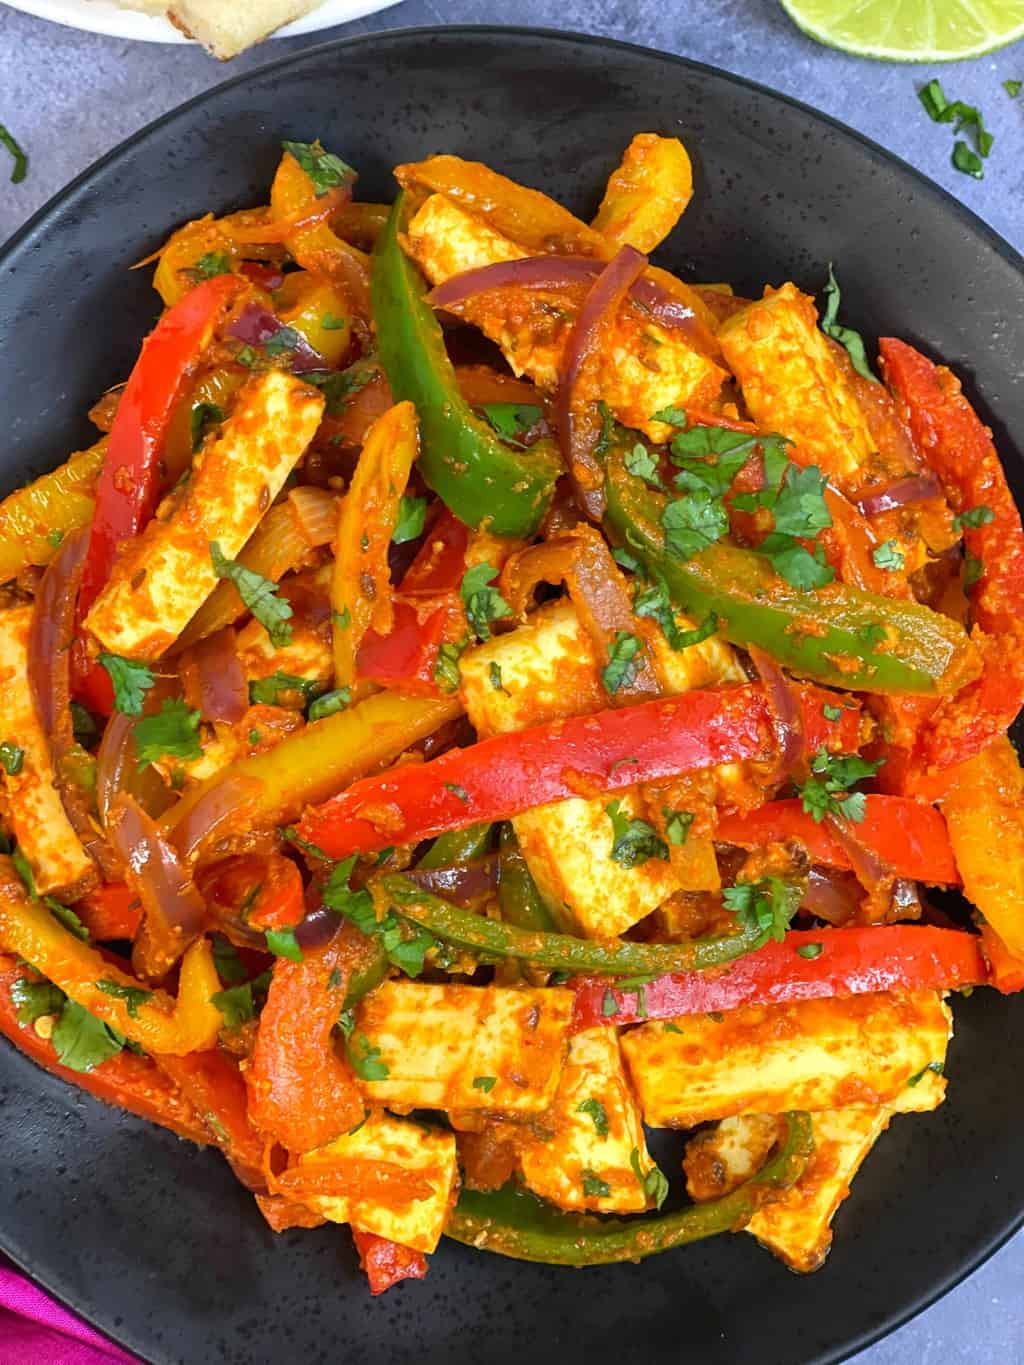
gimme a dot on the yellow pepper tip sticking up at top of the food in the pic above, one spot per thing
(646, 195)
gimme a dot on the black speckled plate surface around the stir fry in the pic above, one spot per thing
(156, 1243)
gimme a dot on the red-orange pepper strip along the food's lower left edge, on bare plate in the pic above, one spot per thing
(128, 1080)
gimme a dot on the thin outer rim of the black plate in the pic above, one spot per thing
(23, 238)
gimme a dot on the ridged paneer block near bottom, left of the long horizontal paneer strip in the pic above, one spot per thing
(465, 1048)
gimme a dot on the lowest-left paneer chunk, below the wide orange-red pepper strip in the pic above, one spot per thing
(425, 1157)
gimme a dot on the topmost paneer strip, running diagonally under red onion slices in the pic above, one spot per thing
(645, 368)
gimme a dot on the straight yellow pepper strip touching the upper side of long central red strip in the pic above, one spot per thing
(268, 790)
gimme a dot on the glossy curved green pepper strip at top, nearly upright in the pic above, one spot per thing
(462, 459)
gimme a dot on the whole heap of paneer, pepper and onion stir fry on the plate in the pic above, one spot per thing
(484, 700)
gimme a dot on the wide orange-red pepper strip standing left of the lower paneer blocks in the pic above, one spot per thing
(301, 1093)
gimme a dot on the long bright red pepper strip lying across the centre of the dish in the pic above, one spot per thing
(584, 756)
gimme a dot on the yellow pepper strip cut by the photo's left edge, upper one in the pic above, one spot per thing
(36, 519)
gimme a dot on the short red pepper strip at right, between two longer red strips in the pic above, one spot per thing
(909, 836)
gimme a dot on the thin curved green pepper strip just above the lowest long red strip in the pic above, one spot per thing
(559, 952)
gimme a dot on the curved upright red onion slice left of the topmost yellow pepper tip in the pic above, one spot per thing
(578, 432)
